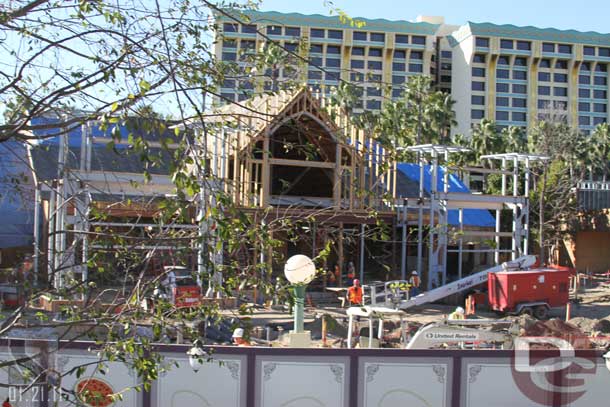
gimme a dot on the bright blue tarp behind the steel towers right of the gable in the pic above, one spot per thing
(472, 217)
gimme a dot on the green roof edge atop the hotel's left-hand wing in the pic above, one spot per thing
(318, 20)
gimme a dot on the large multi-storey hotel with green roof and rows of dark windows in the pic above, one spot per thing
(509, 74)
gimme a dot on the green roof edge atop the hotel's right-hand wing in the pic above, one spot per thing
(529, 33)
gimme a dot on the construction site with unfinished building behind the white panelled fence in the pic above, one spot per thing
(437, 268)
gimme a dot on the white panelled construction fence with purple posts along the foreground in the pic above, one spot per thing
(273, 377)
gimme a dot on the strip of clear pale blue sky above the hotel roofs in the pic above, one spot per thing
(591, 15)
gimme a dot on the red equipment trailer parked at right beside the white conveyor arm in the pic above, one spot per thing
(531, 292)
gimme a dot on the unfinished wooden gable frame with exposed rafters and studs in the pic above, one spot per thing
(354, 157)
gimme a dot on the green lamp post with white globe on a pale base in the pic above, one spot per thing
(299, 271)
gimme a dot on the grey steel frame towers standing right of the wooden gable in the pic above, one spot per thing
(441, 200)
